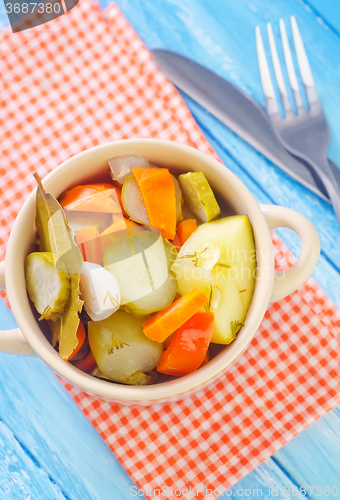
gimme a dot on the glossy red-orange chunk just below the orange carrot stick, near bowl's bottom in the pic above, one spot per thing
(189, 346)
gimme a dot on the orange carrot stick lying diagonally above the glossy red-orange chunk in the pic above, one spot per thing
(165, 322)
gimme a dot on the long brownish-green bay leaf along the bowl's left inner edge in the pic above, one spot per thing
(57, 237)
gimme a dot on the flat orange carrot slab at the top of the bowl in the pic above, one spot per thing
(158, 192)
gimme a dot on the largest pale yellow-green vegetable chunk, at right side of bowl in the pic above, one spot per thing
(219, 259)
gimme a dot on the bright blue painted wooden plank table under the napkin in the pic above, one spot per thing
(48, 450)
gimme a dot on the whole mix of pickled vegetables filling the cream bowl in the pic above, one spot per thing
(134, 281)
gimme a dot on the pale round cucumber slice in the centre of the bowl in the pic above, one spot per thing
(141, 265)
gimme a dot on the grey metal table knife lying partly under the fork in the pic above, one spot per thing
(240, 112)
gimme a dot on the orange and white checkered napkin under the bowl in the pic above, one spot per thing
(84, 79)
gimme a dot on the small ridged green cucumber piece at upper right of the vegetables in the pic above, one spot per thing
(199, 196)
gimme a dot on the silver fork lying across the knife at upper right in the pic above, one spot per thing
(305, 134)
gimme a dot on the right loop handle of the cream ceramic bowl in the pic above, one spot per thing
(287, 282)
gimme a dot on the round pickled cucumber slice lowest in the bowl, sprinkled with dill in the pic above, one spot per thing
(121, 350)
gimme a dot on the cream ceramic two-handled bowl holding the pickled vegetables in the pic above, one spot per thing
(28, 339)
